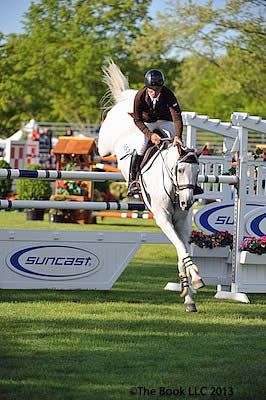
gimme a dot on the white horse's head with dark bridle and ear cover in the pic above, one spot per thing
(185, 174)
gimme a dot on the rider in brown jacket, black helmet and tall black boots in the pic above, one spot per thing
(155, 107)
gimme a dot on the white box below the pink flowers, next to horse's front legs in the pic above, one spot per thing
(215, 266)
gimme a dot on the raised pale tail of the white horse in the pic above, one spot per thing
(115, 80)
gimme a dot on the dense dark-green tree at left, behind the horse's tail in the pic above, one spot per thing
(53, 71)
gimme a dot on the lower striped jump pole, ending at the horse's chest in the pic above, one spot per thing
(71, 205)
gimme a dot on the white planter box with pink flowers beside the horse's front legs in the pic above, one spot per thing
(212, 254)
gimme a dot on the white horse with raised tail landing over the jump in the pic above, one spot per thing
(167, 181)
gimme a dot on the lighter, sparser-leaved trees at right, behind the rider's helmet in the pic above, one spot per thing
(222, 52)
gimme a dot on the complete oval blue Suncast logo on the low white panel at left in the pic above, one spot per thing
(53, 262)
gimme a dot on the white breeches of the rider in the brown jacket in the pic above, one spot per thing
(141, 141)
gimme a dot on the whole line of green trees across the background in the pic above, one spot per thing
(213, 58)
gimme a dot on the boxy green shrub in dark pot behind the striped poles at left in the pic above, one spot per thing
(33, 190)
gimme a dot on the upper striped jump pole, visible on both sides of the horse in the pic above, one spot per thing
(95, 176)
